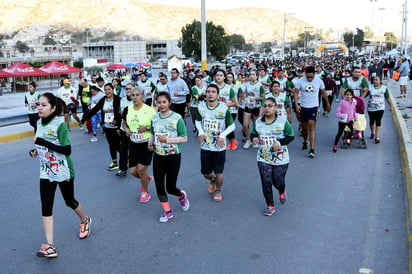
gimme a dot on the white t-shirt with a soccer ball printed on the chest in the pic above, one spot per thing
(309, 91)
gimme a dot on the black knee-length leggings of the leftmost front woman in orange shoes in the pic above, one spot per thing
(47, 191)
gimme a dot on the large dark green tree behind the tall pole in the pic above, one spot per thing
(217, 40)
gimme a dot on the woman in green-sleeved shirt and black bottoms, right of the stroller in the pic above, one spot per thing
(376, 106)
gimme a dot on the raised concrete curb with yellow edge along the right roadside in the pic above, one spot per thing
(405, 151)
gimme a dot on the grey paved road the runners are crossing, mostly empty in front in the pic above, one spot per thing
(345, 212)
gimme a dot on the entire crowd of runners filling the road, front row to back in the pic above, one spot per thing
(145, 120)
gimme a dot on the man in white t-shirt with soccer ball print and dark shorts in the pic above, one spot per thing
(309, 87)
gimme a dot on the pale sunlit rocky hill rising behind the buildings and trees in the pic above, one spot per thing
(135, 18)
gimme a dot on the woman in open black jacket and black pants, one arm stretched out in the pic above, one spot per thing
(109, 106)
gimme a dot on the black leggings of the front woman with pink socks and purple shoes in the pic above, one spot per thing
(166, 167)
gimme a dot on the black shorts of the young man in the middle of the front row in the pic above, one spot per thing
(212, 161)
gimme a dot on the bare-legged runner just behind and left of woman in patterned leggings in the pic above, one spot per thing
(252, 94)
